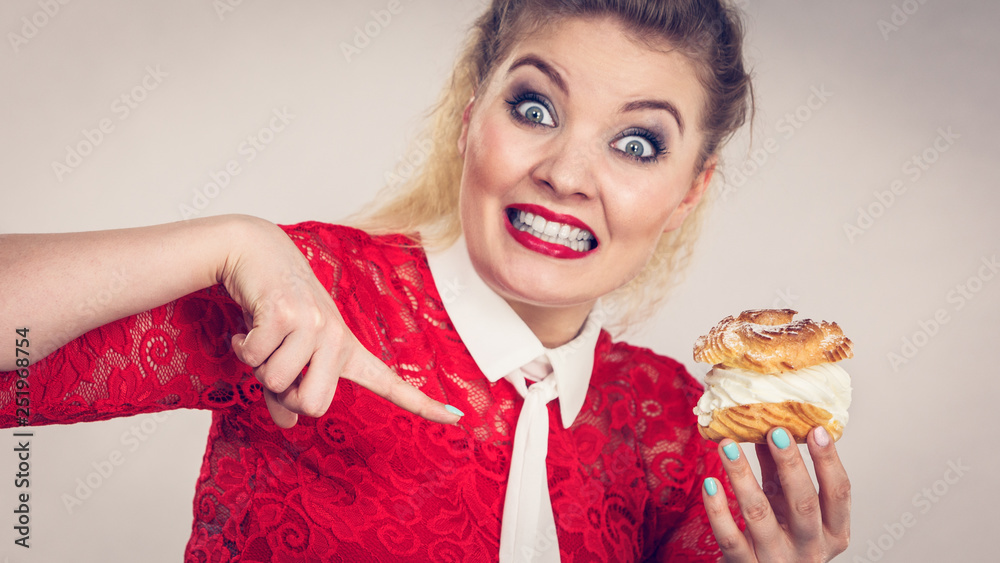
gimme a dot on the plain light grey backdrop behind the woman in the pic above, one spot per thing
(776, 236)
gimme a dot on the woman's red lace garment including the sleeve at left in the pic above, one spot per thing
(368, 481)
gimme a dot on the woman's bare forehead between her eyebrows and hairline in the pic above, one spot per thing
(599, 58)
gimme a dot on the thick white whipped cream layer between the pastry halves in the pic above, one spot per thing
(827, 386)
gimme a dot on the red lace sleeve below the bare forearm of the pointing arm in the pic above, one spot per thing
(174, 356)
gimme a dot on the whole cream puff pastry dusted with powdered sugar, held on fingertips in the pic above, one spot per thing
(769, 371)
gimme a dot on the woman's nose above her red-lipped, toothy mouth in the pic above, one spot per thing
(568, 166)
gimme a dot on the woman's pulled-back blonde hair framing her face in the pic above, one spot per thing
(710, 32)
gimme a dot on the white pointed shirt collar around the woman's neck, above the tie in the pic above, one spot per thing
(505, 342)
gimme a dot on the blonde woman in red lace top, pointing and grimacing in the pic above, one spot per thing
(571, 146)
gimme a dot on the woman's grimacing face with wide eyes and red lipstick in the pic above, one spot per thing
(580, 151)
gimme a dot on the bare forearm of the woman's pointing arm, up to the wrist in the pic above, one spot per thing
(60, 286)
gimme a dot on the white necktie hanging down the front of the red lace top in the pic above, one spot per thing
(528, 529)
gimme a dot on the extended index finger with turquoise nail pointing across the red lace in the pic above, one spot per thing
(369, 372)
